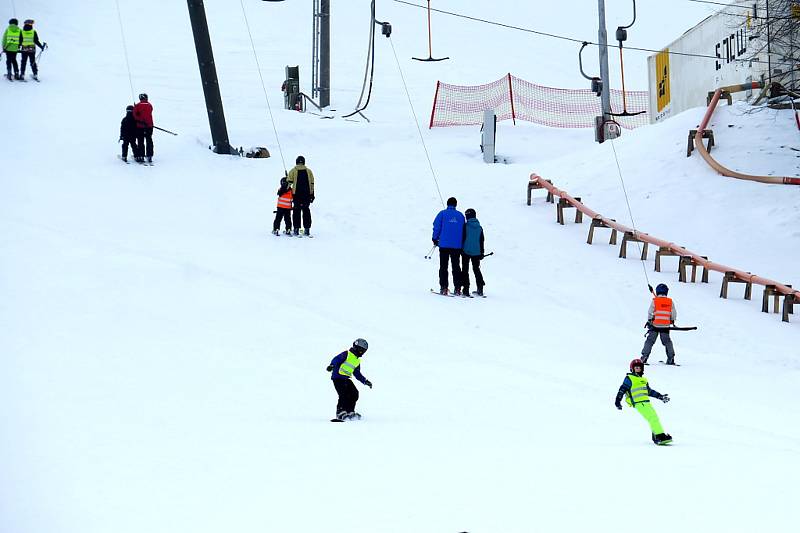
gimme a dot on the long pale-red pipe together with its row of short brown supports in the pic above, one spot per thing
(687, 258)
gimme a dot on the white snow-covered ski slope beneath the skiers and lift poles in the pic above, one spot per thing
(162, 355)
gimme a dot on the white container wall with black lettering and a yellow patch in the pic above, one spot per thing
(678, 83)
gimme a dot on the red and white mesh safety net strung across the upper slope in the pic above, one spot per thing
(514, 98)
